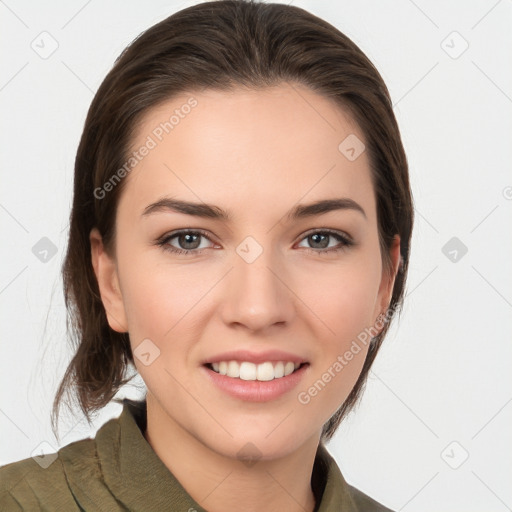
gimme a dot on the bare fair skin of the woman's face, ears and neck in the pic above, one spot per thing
(255, 153)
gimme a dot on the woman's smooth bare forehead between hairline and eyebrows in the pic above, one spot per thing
(244, 148)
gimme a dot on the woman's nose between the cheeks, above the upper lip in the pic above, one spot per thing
(256, 294)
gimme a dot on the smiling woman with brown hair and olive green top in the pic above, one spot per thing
(240, 235)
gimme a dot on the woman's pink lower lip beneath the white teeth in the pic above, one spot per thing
(255, 390)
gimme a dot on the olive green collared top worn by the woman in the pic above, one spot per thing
(118, 470)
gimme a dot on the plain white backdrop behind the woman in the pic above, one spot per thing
(443, 375)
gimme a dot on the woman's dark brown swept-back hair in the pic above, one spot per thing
(218, 45)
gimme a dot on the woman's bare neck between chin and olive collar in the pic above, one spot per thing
(218, 482)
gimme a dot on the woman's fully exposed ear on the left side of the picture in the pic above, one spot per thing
(108, 282)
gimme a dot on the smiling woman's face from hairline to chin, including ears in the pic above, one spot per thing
(265, 274)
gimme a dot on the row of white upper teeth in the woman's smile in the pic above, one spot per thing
(251, 371)
